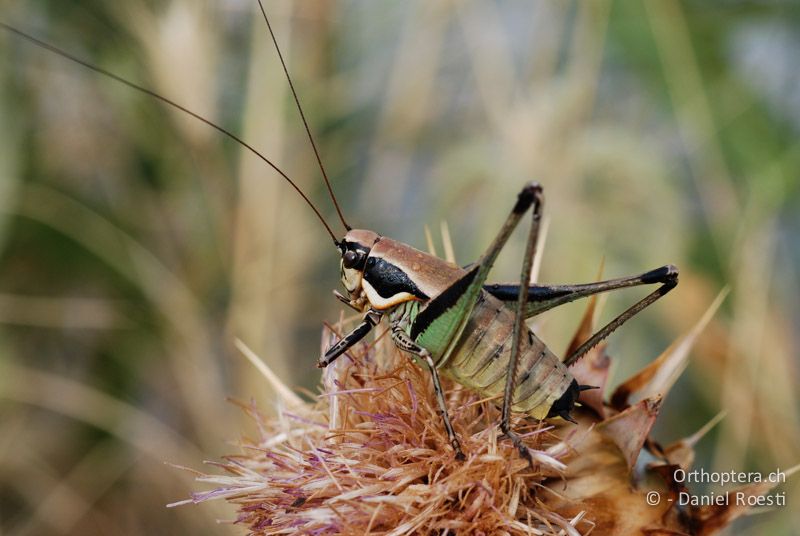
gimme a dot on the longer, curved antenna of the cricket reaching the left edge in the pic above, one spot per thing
(62, 53)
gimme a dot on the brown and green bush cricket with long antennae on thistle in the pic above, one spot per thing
(449, 319)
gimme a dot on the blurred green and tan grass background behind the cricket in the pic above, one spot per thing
(136, 243)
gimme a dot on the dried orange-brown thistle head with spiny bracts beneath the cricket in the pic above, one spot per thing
(371, 456)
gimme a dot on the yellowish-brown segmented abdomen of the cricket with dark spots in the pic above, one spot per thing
(481, 356)
